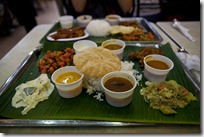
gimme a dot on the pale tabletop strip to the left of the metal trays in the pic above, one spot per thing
(16, 55)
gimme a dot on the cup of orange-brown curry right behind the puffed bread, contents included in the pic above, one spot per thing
(117, 46)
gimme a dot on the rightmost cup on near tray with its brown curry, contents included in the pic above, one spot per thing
(157, 67)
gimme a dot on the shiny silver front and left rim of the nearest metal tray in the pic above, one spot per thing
(30, 59)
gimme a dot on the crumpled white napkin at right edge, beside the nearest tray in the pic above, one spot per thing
(192, 62)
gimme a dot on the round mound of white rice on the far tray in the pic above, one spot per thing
(98, 28)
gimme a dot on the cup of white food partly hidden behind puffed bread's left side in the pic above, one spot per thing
(83, 44)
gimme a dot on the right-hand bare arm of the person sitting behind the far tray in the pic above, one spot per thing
(126, 5)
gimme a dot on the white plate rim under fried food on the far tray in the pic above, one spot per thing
(67, 39)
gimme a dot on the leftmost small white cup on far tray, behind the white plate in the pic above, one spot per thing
(66, 21)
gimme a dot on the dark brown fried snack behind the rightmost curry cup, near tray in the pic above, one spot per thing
(139, 55)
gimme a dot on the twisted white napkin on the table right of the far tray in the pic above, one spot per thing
(185, 31)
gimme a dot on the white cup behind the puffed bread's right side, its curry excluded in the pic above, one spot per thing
(118, 52)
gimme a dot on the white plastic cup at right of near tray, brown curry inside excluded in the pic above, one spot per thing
(153, 74)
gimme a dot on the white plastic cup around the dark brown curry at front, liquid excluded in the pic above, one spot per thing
(118, 99)
